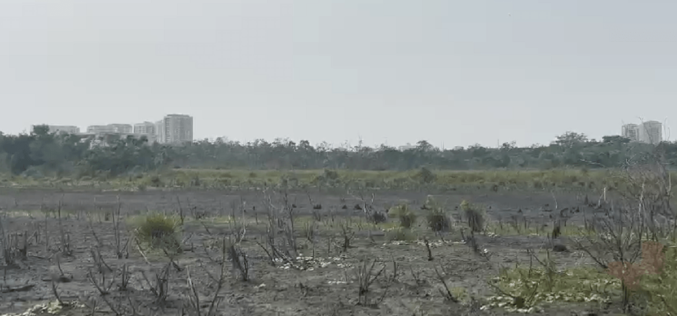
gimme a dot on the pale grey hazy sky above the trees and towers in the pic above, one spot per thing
(450, 72)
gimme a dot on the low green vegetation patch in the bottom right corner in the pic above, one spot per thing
(649, 285)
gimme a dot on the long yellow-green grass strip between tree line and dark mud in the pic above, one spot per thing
(565, 179)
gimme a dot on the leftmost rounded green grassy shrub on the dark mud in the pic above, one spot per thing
(160, 232)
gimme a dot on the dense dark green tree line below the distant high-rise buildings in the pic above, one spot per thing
(42, 153)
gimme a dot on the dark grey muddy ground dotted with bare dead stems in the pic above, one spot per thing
(325, 285)
